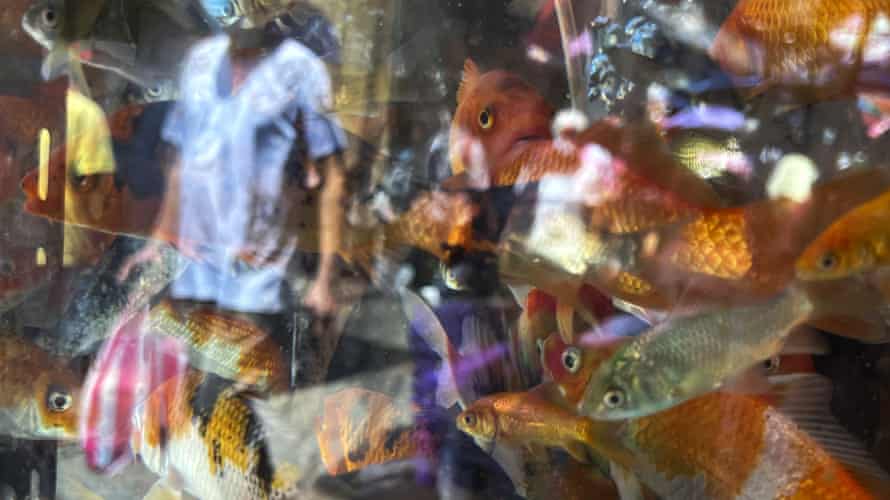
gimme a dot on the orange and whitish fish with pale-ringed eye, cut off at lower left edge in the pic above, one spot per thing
(41, 393)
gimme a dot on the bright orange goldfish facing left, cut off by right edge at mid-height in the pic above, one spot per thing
(854, 243)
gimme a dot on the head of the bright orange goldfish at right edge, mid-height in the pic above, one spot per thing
(834, 254)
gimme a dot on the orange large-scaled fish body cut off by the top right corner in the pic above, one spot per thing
(818, 49)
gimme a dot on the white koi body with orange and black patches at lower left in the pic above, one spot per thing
(198, 429)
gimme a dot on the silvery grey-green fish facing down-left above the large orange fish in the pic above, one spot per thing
(686, 357)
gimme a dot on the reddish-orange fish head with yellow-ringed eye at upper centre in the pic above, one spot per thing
(496, 112)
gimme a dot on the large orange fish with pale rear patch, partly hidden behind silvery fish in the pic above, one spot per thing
(721, 445)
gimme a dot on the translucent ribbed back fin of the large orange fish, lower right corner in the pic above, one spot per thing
(805, 399)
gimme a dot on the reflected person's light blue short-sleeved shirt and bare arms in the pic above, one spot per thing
(237, 134)
